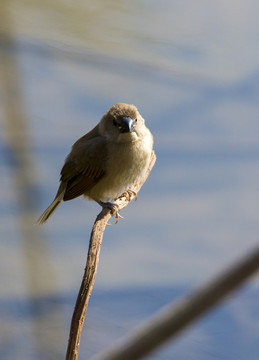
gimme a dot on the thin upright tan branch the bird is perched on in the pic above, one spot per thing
(91, 268)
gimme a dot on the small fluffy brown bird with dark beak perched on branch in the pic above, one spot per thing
(107, 161)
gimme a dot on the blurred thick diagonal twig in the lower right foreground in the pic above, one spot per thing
(171, 321)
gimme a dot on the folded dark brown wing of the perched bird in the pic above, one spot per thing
(84, 166)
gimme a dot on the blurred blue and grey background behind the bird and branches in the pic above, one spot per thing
(192, 69)
